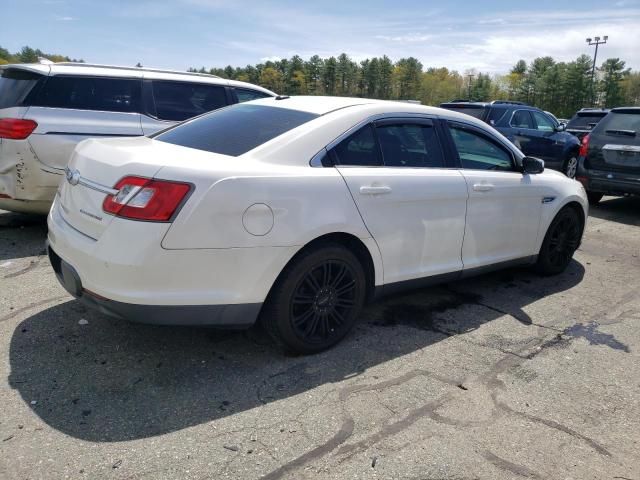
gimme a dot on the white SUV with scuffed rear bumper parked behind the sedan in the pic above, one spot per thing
(45, 110)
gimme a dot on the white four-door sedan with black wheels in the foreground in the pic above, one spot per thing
(296, 211)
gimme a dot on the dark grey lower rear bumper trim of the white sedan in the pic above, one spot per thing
(229, 316)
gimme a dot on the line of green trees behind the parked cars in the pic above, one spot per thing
(559, 87)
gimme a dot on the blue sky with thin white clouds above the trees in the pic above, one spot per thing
(488, 36)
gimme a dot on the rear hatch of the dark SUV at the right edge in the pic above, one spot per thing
(614, 144)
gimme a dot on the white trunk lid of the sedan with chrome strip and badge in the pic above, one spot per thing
(95, 167)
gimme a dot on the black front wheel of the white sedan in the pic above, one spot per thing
(560, 242)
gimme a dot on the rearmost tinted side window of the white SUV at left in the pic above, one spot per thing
(90, 93)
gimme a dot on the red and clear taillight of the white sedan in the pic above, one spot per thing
(141, 198)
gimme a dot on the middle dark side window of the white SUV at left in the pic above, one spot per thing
(177, 101)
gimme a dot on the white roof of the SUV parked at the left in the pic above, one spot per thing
(77, 68)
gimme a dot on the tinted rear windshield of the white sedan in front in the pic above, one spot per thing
(235, 130)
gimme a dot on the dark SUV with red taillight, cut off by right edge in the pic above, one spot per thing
(610, 155)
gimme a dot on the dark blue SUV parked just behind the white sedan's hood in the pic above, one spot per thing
(529, 128)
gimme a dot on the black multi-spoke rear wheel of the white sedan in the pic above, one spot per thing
(316, 300)
